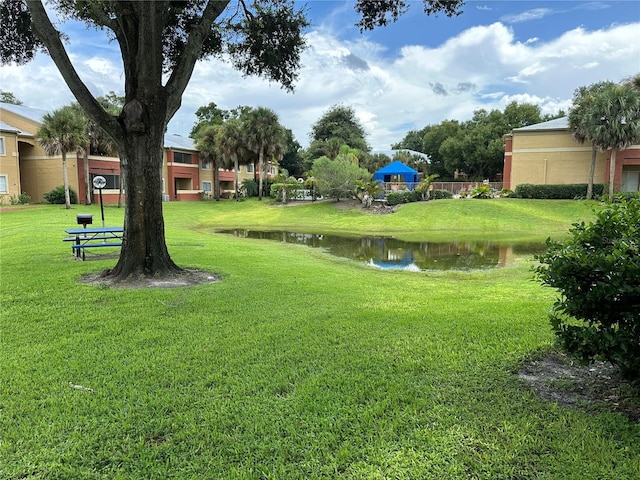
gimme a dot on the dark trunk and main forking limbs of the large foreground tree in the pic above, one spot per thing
(139, 28)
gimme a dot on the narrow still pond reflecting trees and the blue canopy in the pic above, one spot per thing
(391, 253)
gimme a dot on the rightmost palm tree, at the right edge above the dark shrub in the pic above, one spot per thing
(615, 122)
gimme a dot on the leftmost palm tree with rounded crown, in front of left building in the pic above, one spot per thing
(62, 131)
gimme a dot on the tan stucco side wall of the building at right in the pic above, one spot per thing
(547, 158)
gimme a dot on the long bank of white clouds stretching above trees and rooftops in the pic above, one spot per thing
(481, 67)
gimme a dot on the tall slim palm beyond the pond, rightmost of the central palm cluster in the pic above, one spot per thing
(265, 136)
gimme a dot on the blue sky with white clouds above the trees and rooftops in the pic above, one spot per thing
(419, 71)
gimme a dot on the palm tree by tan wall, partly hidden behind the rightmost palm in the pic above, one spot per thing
(579, 121)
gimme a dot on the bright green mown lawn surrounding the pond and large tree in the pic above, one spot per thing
(296, 365)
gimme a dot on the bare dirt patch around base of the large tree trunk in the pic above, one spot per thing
(186, 278)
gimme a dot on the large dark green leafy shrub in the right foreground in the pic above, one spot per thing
(597, 273)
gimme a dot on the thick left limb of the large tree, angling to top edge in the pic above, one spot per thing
(50, 37)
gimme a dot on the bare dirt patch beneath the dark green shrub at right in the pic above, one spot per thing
(596, 387)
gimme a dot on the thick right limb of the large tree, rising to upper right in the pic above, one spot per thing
(183, 70)
